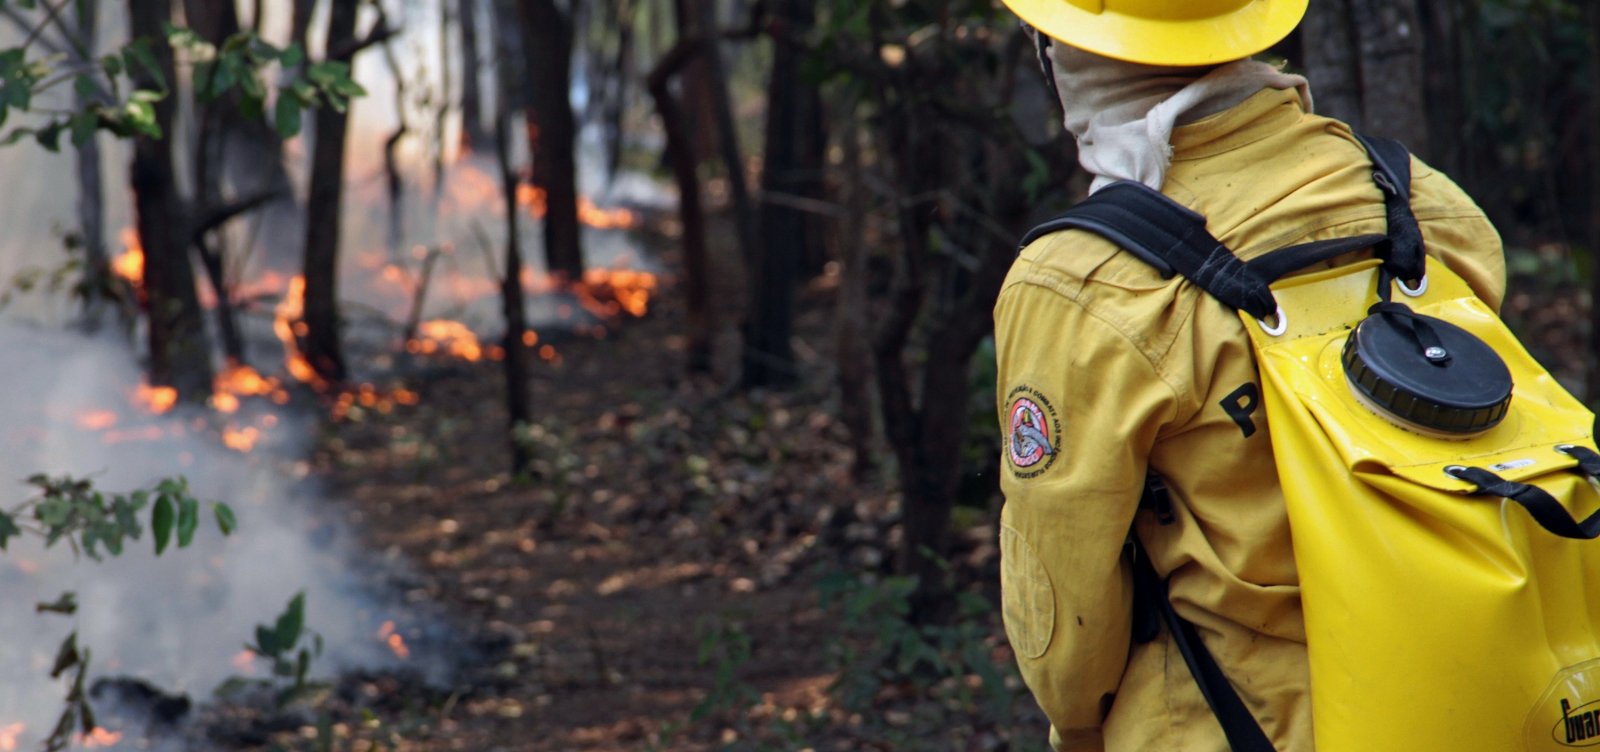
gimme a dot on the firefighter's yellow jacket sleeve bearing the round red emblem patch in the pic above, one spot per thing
(1079, 410)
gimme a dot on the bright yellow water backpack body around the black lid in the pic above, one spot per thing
(1434, 622)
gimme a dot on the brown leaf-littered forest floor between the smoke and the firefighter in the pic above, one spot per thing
(660, 585)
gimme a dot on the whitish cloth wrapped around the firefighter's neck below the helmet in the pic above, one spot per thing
(1124, 114)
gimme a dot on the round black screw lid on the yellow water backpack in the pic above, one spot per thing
(1465, 390)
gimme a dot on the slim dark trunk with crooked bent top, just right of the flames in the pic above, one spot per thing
(681, 154)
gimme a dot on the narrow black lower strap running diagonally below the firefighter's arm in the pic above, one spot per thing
(1241, 729)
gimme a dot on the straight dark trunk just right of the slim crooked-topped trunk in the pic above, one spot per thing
(769, 324)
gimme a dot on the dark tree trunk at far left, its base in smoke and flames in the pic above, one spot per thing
(180, 356)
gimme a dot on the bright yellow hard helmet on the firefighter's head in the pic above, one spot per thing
(1166, 33)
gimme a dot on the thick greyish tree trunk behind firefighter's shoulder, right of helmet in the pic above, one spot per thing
(1391, 60)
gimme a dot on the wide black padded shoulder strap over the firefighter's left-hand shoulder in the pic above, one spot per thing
(1170, 238)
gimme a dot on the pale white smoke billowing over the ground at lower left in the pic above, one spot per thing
(180, 620)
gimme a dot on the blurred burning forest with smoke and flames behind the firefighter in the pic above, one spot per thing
(602, 375)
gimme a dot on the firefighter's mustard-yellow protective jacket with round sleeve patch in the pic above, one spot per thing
(1108, 370)
